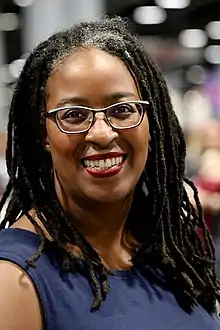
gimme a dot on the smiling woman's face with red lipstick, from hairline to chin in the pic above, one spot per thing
(95, 79)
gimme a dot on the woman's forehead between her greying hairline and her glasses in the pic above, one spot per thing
(89, 74)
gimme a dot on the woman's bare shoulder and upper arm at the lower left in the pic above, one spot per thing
(19, 305)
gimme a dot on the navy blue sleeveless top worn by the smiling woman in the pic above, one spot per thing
(133, 303)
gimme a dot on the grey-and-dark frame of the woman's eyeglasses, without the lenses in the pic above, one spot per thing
(52, 113)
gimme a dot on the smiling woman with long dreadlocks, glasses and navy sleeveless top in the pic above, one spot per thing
(102, 234)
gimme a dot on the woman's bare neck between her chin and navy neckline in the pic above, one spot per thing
(103, 226)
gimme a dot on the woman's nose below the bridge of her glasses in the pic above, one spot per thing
(101, 133)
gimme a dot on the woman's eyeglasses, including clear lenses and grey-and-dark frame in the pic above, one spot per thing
(79, 119)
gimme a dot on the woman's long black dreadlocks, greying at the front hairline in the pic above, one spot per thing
(167, 228)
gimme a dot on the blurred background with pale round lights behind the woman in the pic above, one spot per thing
(183, 38)
